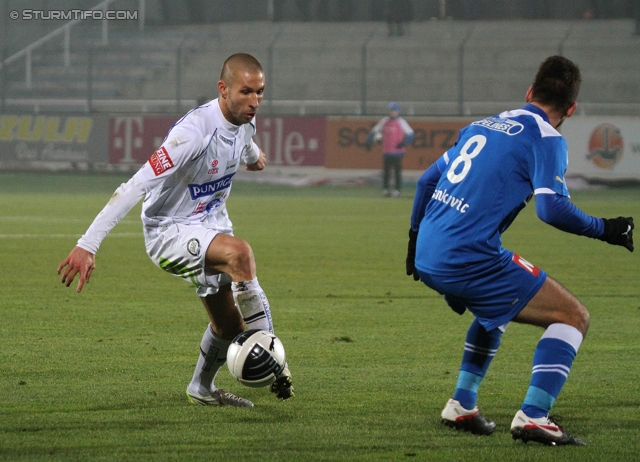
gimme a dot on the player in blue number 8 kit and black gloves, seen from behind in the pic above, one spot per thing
(463, 203)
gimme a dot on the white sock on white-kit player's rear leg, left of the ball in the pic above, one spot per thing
(213, 354)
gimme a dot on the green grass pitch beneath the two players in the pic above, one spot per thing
(101, 375)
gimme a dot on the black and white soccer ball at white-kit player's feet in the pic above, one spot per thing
(255, 358)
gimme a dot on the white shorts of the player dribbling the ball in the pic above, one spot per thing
(180, 250)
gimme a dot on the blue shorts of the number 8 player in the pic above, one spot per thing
(496, 294)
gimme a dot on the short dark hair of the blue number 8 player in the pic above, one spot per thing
(556, 83)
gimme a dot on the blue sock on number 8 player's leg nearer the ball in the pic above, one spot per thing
(480, 348)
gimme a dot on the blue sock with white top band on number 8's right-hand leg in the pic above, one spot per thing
(551, 365)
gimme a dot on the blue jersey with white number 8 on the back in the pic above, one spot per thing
(487, 178)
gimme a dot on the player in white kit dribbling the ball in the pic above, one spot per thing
(187, 231)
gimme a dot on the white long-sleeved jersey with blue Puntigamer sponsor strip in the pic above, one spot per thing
(187, 180)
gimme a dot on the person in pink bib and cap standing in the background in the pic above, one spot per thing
(395, 134)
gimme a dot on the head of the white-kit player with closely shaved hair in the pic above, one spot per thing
(241, 88)
